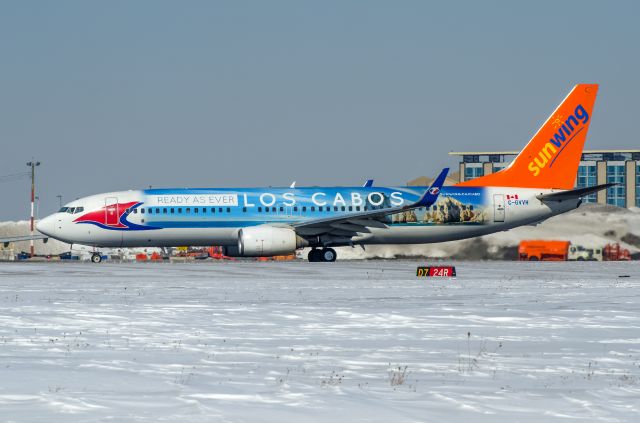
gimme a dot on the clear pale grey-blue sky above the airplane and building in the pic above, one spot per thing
(126, 94)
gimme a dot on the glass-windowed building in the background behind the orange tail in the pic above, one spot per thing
(596, 167)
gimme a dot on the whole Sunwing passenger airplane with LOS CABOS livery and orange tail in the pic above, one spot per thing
(253, 222)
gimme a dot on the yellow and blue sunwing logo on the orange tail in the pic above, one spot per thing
(566, 130)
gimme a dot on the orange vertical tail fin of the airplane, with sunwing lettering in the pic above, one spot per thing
(551, 158)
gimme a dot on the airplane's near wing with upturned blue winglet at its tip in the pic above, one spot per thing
(340, 229)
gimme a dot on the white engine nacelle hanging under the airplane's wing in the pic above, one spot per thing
(265, 240)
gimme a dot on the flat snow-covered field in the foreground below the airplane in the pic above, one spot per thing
(309, 342)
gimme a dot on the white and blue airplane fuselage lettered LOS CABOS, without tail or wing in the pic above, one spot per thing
(202, 217)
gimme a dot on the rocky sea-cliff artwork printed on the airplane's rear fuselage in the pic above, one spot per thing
(455, 206)
